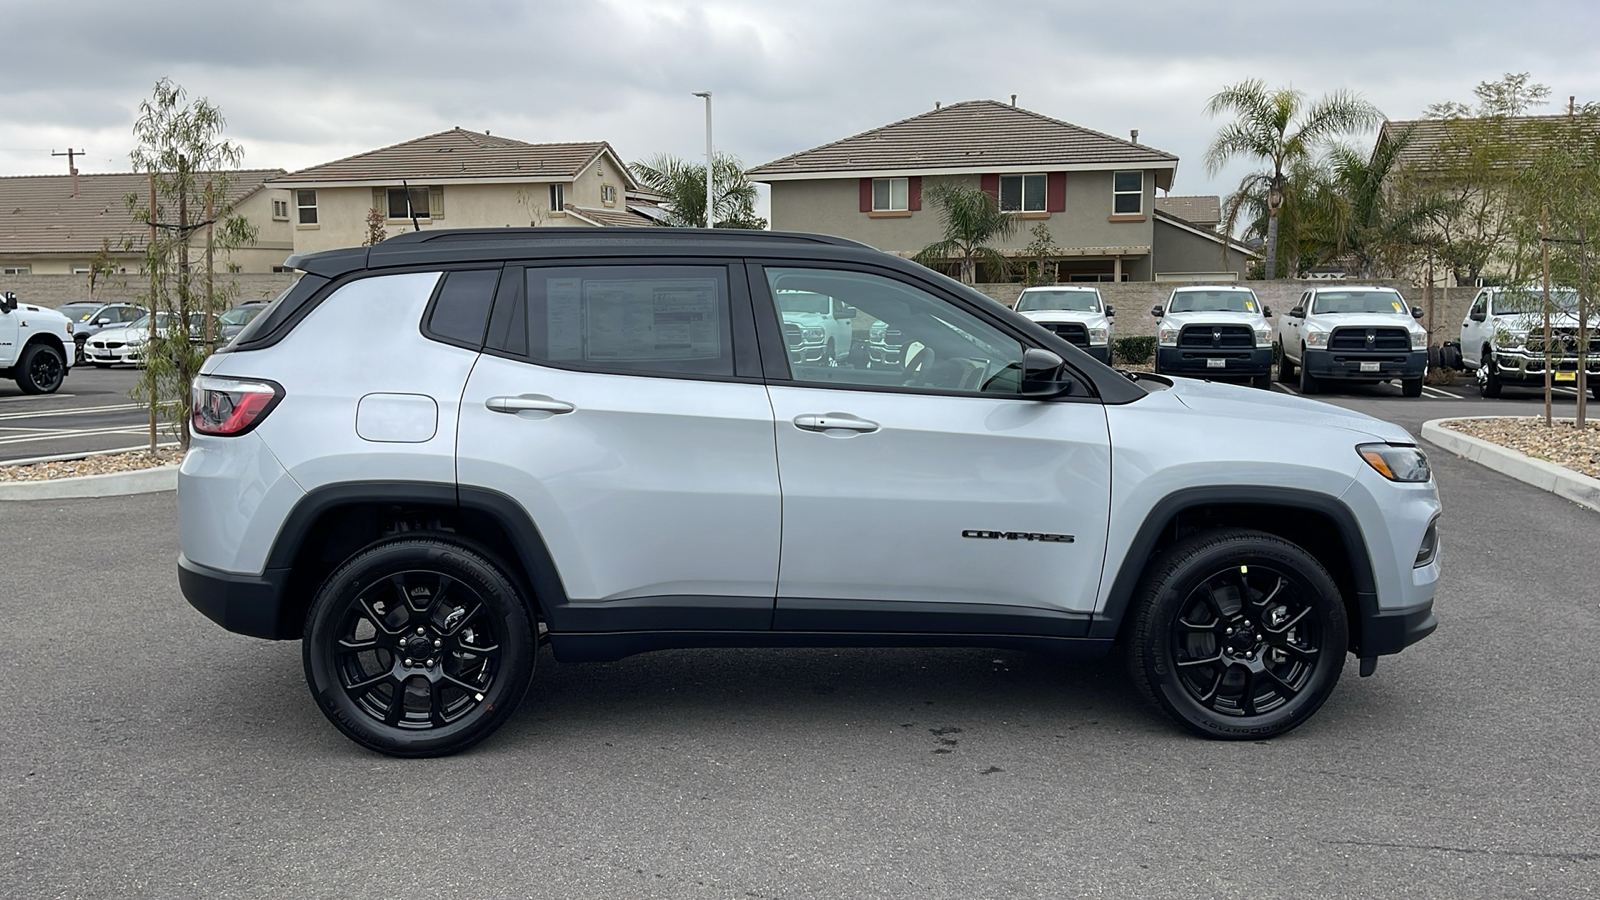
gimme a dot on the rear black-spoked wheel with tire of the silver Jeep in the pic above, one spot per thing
(418, 646)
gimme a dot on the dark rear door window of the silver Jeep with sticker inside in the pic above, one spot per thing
(647, 319)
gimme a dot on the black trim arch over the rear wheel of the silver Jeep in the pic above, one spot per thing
(334, 523)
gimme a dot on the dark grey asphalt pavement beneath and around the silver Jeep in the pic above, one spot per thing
(150, 753)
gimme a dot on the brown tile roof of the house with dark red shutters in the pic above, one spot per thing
(977, 135)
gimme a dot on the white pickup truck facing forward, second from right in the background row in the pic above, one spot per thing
(1353, 334)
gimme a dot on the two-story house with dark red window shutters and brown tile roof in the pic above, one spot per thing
(1095, 193)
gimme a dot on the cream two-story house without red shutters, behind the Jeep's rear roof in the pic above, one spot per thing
(458, 180)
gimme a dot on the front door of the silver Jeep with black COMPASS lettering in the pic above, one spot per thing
(927, 484)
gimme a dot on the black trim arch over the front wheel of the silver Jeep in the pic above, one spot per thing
(1321, 524)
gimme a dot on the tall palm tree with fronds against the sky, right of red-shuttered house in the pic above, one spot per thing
(1278, 129)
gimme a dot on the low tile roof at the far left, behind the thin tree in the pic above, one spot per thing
(41, 215)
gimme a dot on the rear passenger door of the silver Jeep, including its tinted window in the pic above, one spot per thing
(622, 406)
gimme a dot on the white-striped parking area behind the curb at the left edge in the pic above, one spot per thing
(94, 411)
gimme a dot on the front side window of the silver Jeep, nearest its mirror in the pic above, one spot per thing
(887, 334)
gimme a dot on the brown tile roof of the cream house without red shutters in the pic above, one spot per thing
(460, 156)
